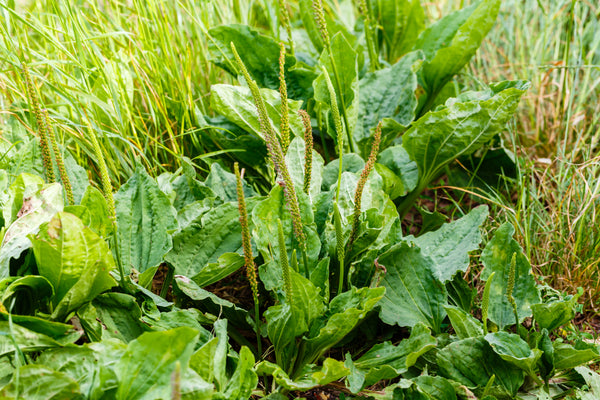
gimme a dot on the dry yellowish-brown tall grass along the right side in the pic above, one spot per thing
(556, 45)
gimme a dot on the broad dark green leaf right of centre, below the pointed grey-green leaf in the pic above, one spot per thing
(413, 294)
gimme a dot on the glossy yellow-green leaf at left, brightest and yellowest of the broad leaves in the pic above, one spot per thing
(75, 260)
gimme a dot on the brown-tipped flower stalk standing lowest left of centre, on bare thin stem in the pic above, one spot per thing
(248, 258)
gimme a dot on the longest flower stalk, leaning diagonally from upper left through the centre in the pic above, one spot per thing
(277, 157)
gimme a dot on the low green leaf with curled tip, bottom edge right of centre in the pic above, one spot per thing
(386, 361)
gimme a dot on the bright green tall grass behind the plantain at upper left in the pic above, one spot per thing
(137, 71)
